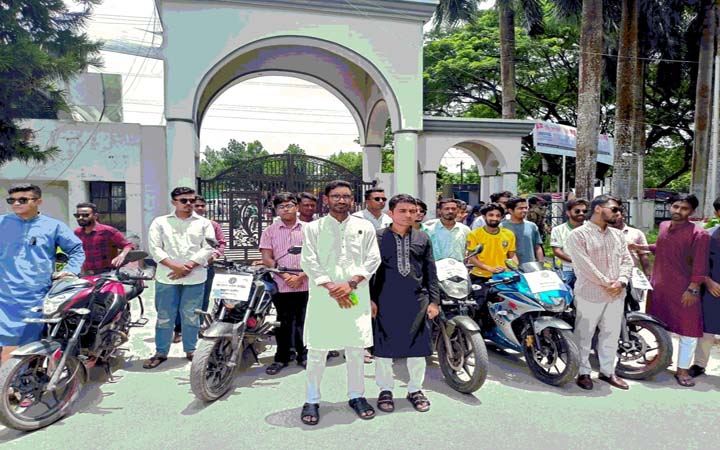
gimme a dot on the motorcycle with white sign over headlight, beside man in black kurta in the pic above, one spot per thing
(462, 354)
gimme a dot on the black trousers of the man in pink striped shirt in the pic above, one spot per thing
(290, 308)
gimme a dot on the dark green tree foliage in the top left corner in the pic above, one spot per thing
(42, 44)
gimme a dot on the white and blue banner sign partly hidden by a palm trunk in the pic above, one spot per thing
(555, 139)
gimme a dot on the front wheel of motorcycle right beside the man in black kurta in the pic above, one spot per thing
(466, 369)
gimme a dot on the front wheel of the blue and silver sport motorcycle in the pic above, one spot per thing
(552, 356)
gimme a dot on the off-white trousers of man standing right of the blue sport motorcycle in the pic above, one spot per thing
(607, 317)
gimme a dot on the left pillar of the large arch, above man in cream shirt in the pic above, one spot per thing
(183, 154)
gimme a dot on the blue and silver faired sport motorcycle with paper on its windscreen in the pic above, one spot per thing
(523, 311)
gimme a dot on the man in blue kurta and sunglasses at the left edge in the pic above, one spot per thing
(28, 244)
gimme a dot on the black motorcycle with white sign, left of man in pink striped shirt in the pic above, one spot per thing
(237, 322)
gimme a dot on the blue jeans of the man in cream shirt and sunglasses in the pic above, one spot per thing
(171, 300)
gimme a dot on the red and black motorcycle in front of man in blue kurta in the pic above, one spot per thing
(86, 320)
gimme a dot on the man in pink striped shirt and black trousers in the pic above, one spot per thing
(292, 297)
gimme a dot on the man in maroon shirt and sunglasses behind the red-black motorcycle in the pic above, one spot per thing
(105, 247)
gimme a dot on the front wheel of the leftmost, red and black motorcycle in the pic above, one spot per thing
(25, 402)
